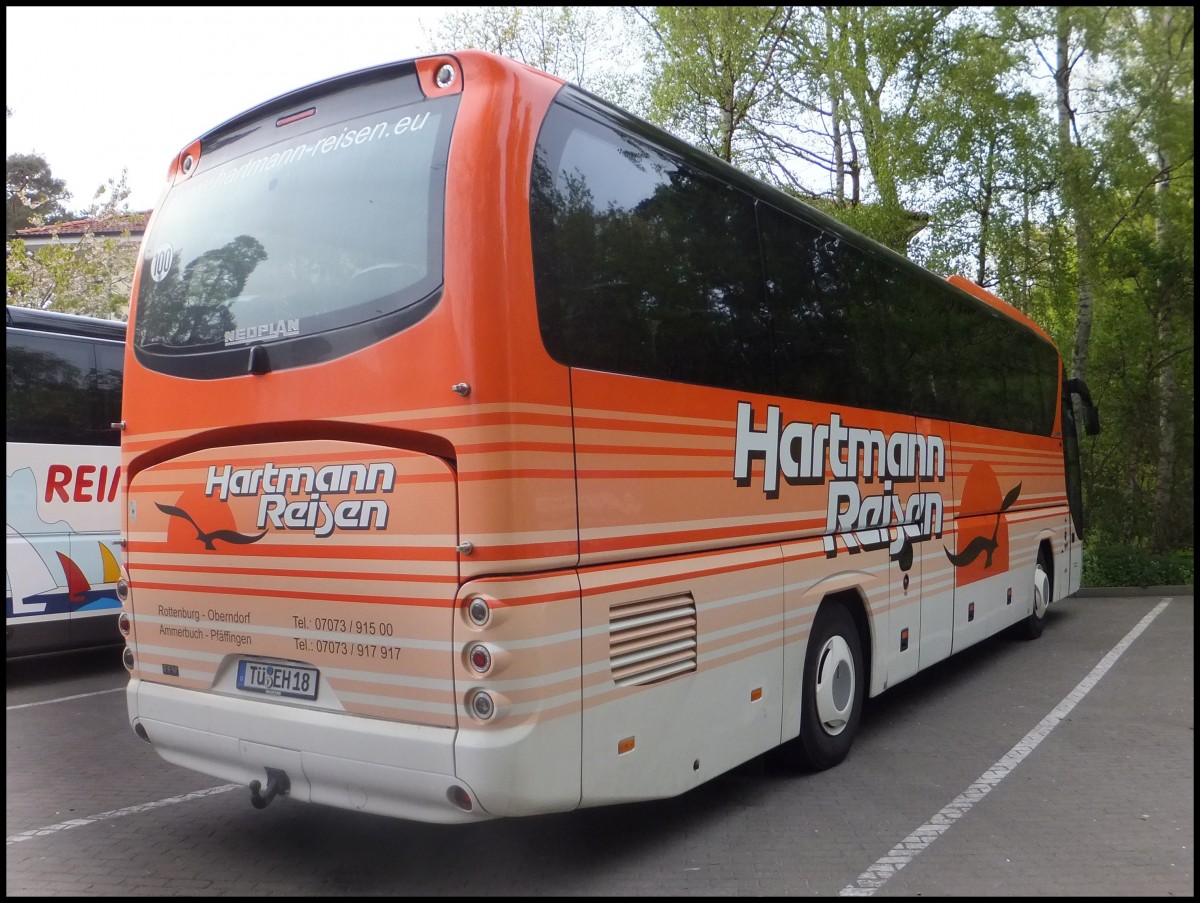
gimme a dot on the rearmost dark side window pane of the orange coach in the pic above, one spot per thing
(644, 265)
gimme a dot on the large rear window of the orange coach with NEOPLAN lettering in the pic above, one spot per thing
(333, 223)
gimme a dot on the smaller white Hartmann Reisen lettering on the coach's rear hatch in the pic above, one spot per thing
(320, 509)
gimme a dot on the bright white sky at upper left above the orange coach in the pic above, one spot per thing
(99, 89)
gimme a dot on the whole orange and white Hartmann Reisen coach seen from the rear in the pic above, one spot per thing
(489, 452)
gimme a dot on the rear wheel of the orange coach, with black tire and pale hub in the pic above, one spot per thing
(833, 693)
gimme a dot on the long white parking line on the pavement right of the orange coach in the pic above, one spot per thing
(920, 840)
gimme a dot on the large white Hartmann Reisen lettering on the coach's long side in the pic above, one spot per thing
(806, 453)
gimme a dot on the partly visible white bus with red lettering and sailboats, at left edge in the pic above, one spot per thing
(63, 475)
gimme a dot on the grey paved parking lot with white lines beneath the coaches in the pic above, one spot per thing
(1058, 768)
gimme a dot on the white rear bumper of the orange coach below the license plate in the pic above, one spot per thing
(333, 760)
